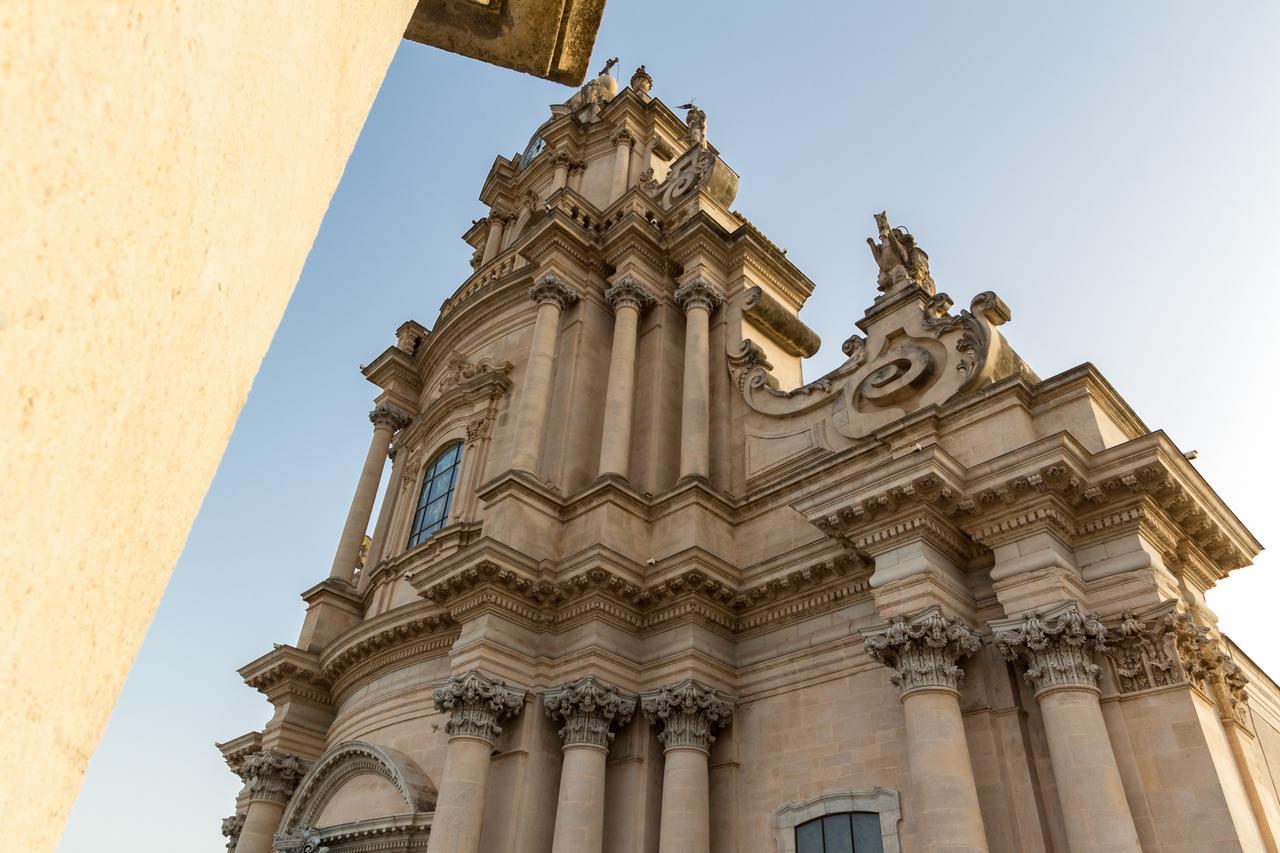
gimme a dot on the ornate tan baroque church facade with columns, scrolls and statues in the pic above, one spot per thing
(636, 587)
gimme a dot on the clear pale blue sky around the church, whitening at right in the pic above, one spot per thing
(1110, 170)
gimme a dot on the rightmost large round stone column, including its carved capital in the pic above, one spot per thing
(1057, 649)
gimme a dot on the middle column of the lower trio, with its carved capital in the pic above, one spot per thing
(589, 709)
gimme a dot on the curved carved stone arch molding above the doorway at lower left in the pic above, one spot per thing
(345, 763)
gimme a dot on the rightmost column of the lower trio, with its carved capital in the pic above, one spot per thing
(689, 713)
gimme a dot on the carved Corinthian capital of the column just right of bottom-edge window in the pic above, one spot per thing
(924, 650)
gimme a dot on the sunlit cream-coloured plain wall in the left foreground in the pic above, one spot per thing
(140, 145)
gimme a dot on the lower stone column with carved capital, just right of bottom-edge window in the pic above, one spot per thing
(925, 654)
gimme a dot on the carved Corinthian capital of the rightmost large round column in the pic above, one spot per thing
(1057, 646)
